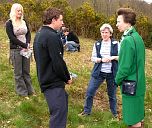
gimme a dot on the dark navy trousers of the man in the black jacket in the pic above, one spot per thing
(57, 100)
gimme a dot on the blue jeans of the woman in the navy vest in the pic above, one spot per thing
(111, 90)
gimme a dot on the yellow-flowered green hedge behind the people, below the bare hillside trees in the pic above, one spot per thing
(83, 20)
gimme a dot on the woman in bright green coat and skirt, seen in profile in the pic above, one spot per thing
(132, 106)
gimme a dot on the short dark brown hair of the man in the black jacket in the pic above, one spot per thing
(49, 14)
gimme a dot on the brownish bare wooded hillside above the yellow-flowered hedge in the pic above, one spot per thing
(109, 7)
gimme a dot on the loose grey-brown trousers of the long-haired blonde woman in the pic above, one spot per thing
(22, 73)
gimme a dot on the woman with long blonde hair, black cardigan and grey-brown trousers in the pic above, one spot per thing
(19, 37)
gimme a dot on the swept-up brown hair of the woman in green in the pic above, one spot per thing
(128, 15)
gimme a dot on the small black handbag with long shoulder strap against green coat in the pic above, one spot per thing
(129, 86)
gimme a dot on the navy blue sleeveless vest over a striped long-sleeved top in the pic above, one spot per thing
(113, 52)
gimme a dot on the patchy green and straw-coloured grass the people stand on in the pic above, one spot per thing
(16, 112)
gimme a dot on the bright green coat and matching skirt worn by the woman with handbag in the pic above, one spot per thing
(132, 106)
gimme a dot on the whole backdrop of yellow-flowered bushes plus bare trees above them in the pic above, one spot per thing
(85, 19)
